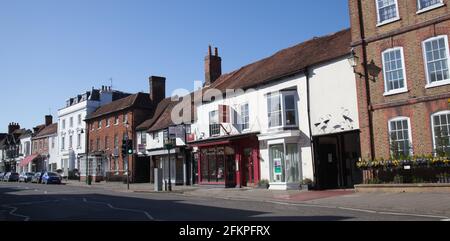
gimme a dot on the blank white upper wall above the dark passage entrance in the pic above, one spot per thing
(333, 96)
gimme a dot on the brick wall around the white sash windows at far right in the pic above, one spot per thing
(419, 103)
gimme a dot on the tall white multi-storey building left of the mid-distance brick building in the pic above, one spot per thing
(72, 127)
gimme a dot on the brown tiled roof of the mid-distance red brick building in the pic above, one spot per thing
(139, 100)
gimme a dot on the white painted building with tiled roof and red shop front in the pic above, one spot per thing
(299, 104)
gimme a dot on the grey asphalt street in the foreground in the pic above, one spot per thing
(37, 202)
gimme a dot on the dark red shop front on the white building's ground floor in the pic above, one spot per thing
(232, 162)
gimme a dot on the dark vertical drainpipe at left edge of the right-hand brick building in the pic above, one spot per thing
(366, 78)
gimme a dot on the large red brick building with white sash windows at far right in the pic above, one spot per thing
(405, 104)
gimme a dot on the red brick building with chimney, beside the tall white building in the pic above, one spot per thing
(112, 123)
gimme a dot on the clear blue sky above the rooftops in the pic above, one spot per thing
(51, 50)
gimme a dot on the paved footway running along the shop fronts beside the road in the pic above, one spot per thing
(420, 204)
